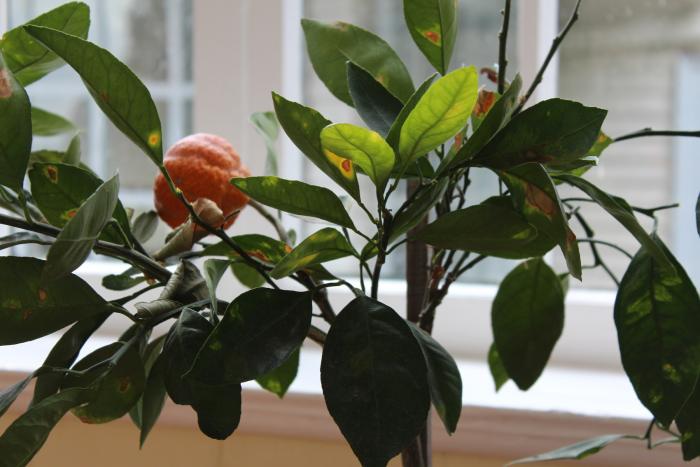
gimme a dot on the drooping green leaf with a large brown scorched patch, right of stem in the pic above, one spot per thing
(535, 196)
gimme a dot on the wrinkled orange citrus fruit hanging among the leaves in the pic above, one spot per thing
(200, 165)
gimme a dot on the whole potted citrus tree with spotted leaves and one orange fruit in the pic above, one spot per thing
(380, 370)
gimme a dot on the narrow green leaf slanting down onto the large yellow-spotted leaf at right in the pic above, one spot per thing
(621, 213)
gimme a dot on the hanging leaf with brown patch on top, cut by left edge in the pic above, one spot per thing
(15, 129)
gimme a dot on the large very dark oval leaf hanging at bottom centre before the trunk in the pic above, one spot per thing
(374, 376)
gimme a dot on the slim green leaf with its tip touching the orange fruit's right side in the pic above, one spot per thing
(296, 198)
